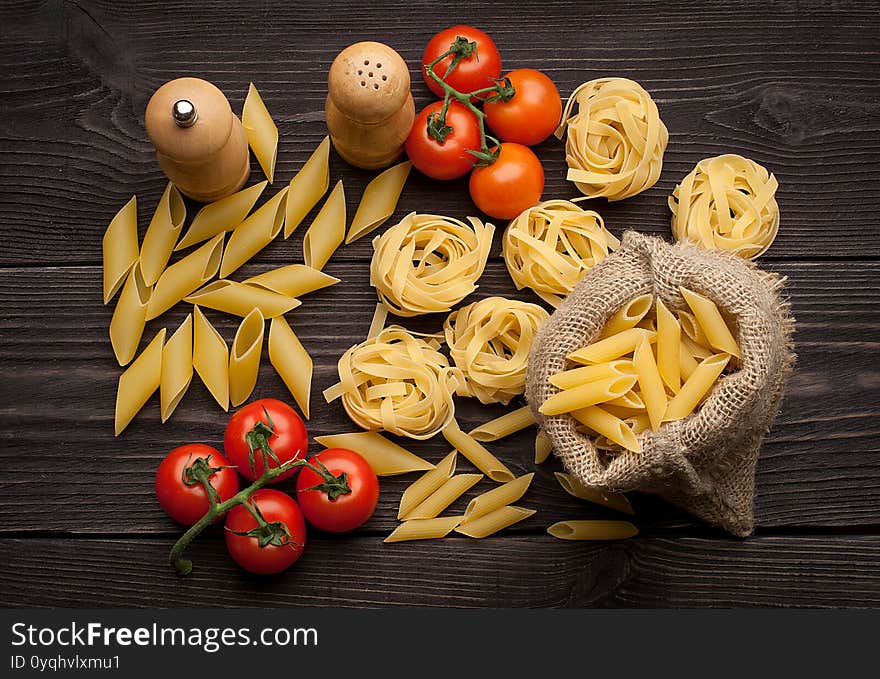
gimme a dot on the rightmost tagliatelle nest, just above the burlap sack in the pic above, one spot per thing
(727, 202)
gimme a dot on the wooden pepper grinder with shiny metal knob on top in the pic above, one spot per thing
(200, 143)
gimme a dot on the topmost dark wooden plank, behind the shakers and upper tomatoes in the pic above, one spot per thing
(77, 77)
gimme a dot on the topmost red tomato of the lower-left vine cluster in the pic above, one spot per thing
(266, 421)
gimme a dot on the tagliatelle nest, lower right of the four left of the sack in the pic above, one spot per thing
(490, 341)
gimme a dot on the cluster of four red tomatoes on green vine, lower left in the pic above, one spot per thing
(266, 528)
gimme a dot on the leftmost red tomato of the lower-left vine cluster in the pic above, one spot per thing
(180, 493)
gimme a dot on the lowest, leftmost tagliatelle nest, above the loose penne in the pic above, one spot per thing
(398, 383)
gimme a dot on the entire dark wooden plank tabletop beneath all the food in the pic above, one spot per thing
(795, 87)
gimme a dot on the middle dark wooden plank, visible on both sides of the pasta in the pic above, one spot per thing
(62, 470)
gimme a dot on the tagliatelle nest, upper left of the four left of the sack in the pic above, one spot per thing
(429, 263)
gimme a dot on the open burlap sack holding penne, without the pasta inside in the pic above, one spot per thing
(705, 463)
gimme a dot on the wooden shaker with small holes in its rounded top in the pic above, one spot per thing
(369, 107)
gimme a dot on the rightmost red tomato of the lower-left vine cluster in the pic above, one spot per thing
(322, 496)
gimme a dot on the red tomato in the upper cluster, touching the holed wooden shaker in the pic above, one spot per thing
(451, 158)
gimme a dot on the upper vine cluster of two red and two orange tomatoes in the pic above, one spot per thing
(448, 137)
